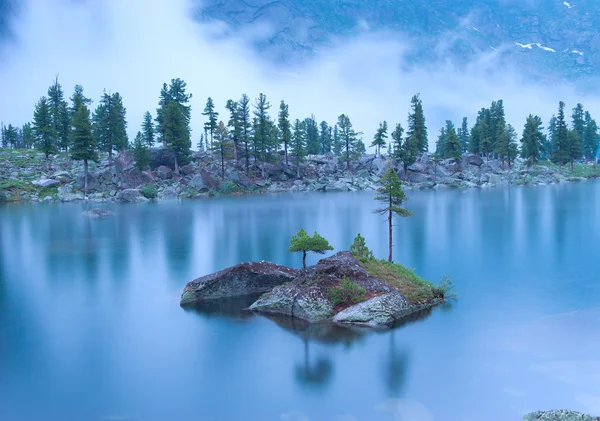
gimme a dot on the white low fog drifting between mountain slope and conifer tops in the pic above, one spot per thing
(134, 46)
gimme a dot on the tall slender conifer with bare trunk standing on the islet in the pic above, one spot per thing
(391, 195)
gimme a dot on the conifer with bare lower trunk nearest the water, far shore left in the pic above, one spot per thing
(84, 145)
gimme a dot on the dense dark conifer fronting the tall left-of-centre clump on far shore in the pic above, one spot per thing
(176, 133)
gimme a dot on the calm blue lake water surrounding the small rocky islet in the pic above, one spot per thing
(91, 328)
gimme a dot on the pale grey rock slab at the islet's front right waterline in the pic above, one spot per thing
(379, 311)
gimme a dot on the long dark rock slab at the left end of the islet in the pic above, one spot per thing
(243, 279)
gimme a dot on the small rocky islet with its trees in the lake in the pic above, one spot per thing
(349, 288)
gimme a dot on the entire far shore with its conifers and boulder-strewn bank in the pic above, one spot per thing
(76, 149)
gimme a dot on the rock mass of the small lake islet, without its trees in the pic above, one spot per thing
(307, 294)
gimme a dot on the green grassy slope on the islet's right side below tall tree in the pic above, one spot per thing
(415, 288)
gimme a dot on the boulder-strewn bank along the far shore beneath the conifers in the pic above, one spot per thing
(24, 176)
